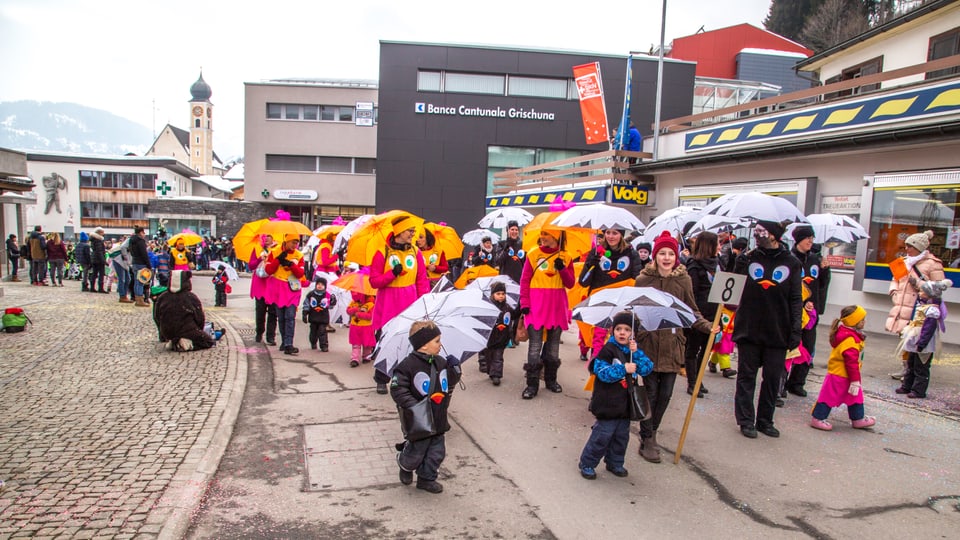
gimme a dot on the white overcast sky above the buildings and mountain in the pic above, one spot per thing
(138, 59)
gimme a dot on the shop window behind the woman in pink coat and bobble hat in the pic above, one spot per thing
(902, 211)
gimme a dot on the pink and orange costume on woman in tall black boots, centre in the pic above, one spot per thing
(543, 289)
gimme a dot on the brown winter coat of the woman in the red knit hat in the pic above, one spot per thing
(665, 347)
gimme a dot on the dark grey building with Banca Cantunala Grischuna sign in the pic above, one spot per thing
(453, 115)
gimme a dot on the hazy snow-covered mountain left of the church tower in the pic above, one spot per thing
(69, 127)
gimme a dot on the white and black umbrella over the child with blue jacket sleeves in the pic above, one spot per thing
(655, 309)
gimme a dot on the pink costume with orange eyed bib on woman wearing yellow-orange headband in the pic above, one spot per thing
(396, 293)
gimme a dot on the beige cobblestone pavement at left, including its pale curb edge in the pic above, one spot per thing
(104, 434)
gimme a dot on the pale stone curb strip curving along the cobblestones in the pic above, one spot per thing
(187, 488)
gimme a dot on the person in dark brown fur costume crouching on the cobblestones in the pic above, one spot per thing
(178, 314)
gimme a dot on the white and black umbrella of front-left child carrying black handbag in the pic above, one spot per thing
(465, 319)
